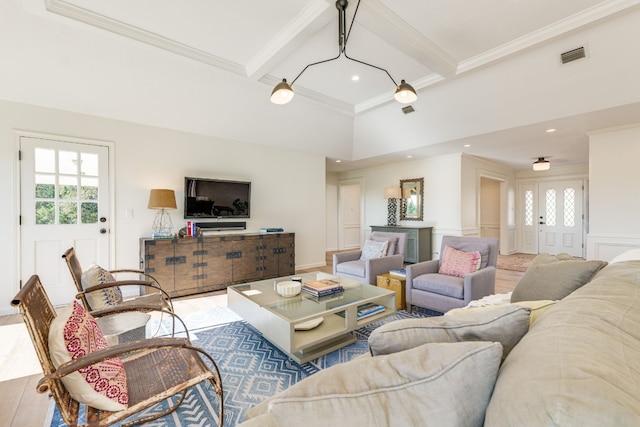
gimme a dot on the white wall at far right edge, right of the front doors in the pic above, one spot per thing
(614, 202)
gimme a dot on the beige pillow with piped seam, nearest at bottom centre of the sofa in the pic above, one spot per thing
(407, 388)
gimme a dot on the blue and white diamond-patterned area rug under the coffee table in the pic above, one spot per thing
(252, 370)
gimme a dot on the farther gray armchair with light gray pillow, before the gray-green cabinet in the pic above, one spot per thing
(349, 264)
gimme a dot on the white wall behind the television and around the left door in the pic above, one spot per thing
(288, 187)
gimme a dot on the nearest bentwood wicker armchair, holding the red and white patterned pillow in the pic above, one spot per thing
(179, 364)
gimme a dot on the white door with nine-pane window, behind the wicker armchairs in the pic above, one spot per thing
(64, 202)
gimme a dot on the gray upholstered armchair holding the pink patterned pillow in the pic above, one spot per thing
(429, 289)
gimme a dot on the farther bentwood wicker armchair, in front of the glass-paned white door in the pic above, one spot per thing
(154, 297)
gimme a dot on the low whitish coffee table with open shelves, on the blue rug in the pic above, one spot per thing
(276, 317)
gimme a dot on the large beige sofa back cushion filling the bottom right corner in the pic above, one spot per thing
(579, 364)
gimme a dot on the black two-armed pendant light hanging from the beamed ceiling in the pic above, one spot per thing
(283, 92)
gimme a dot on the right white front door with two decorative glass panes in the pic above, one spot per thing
(560, 220)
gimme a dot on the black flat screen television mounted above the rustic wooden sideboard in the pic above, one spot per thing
(216, 198)
